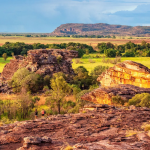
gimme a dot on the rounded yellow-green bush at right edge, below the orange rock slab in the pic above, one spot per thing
(141, 100)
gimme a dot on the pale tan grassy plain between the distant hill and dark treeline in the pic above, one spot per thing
(57, 40)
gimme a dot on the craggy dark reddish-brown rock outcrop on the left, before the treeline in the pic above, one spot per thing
(44, 62)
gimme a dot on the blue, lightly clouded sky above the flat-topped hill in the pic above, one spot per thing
(43, 16)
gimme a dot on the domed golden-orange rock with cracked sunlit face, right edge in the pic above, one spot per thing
(127, 72)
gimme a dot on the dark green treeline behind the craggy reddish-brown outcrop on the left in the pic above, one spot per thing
(20, 48)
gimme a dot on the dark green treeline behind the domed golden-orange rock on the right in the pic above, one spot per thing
(126, 50)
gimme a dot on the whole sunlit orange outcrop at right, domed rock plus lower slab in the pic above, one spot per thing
(125, 79)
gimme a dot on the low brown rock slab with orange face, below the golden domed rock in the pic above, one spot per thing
(103, 95)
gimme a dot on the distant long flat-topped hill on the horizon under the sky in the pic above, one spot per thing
(101, 29)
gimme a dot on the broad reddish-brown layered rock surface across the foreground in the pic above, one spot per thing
(104, 128)
